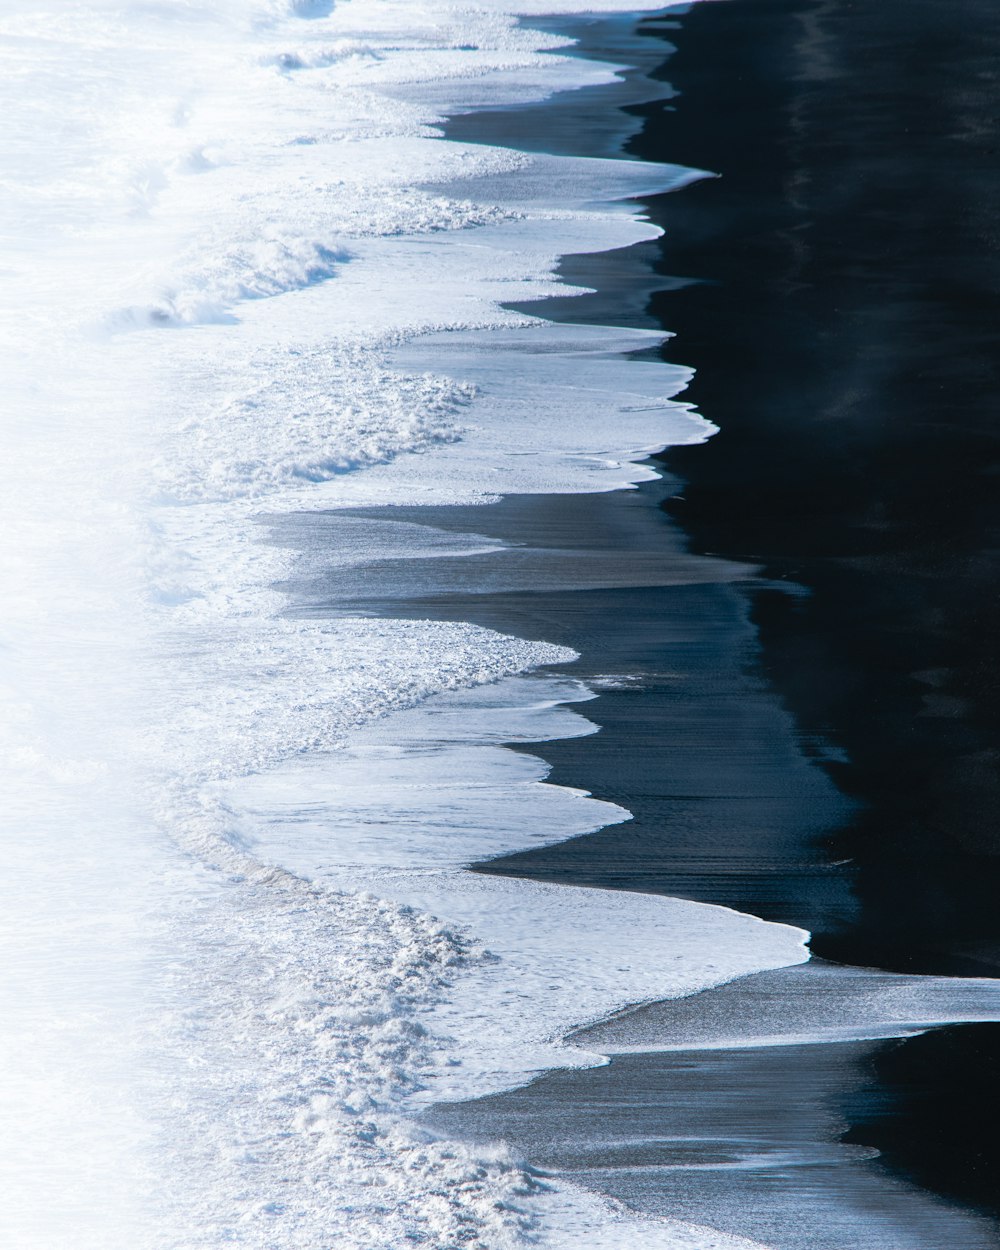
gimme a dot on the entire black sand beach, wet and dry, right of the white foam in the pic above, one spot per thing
(804, 607)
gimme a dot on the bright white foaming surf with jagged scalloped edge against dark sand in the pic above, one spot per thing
(247, 282)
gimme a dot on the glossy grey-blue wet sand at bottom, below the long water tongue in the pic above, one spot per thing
(742, 1141)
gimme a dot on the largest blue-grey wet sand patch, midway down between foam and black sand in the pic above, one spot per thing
(728, 808)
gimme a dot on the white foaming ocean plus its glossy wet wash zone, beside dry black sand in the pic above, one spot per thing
(369, 723)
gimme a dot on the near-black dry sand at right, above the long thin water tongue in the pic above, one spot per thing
(847, 341)
